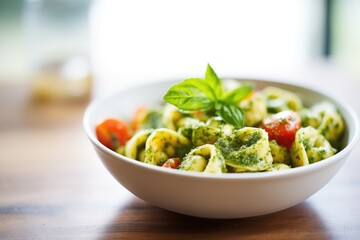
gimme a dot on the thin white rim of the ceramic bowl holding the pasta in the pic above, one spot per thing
(227, 176)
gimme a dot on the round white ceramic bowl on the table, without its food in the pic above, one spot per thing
(231, 195)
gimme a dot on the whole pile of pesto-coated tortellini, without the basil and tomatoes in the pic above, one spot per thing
(202, 142)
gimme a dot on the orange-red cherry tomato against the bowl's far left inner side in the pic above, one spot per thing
(113, 133)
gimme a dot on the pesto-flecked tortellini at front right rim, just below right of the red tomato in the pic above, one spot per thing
(309, 147)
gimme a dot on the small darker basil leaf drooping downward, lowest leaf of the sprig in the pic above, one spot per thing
(231, 114)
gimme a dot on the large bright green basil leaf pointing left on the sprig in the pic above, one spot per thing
(190, 95)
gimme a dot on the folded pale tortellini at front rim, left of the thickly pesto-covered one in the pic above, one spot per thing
(205, 158)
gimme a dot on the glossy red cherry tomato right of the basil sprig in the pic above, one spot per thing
(282, 127)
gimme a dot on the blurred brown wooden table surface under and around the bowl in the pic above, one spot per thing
(53, 186)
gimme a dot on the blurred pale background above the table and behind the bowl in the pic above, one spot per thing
(76, 49)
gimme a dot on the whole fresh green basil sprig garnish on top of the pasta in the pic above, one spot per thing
(208, 94)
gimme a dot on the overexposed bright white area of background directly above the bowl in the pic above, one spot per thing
(138, 40)
